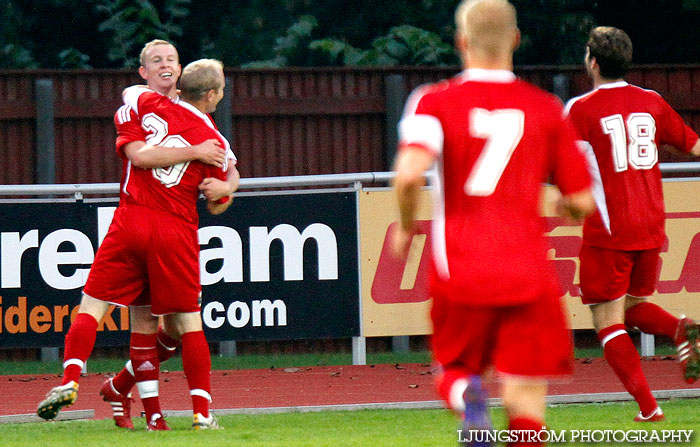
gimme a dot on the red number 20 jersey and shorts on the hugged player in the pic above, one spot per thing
(152, 241)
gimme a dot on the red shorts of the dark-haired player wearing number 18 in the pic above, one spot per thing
(608, 275)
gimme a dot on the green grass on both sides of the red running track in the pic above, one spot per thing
(376, 428)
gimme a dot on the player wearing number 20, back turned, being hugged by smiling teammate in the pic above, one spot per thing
(152, 243)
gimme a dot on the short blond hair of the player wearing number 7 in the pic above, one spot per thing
(488, 25)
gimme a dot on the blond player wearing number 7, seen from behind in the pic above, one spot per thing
(494, 140)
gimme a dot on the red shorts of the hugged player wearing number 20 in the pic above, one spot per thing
(146, 251)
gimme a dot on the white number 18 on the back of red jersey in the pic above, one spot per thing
(641, 152)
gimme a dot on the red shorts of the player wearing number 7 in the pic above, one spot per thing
(529, 340)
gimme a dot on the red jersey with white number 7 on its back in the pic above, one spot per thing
(497, 139)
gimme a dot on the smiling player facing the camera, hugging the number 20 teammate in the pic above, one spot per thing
(160, 68)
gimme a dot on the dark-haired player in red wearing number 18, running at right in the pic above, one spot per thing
(621, 127)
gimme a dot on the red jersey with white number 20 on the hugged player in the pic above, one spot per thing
(171, 123)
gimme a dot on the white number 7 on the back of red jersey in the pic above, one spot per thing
(502, 130)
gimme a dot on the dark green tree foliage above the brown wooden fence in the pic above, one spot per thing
(110, 33)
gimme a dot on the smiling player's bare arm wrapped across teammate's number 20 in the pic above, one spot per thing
(148, 156)
